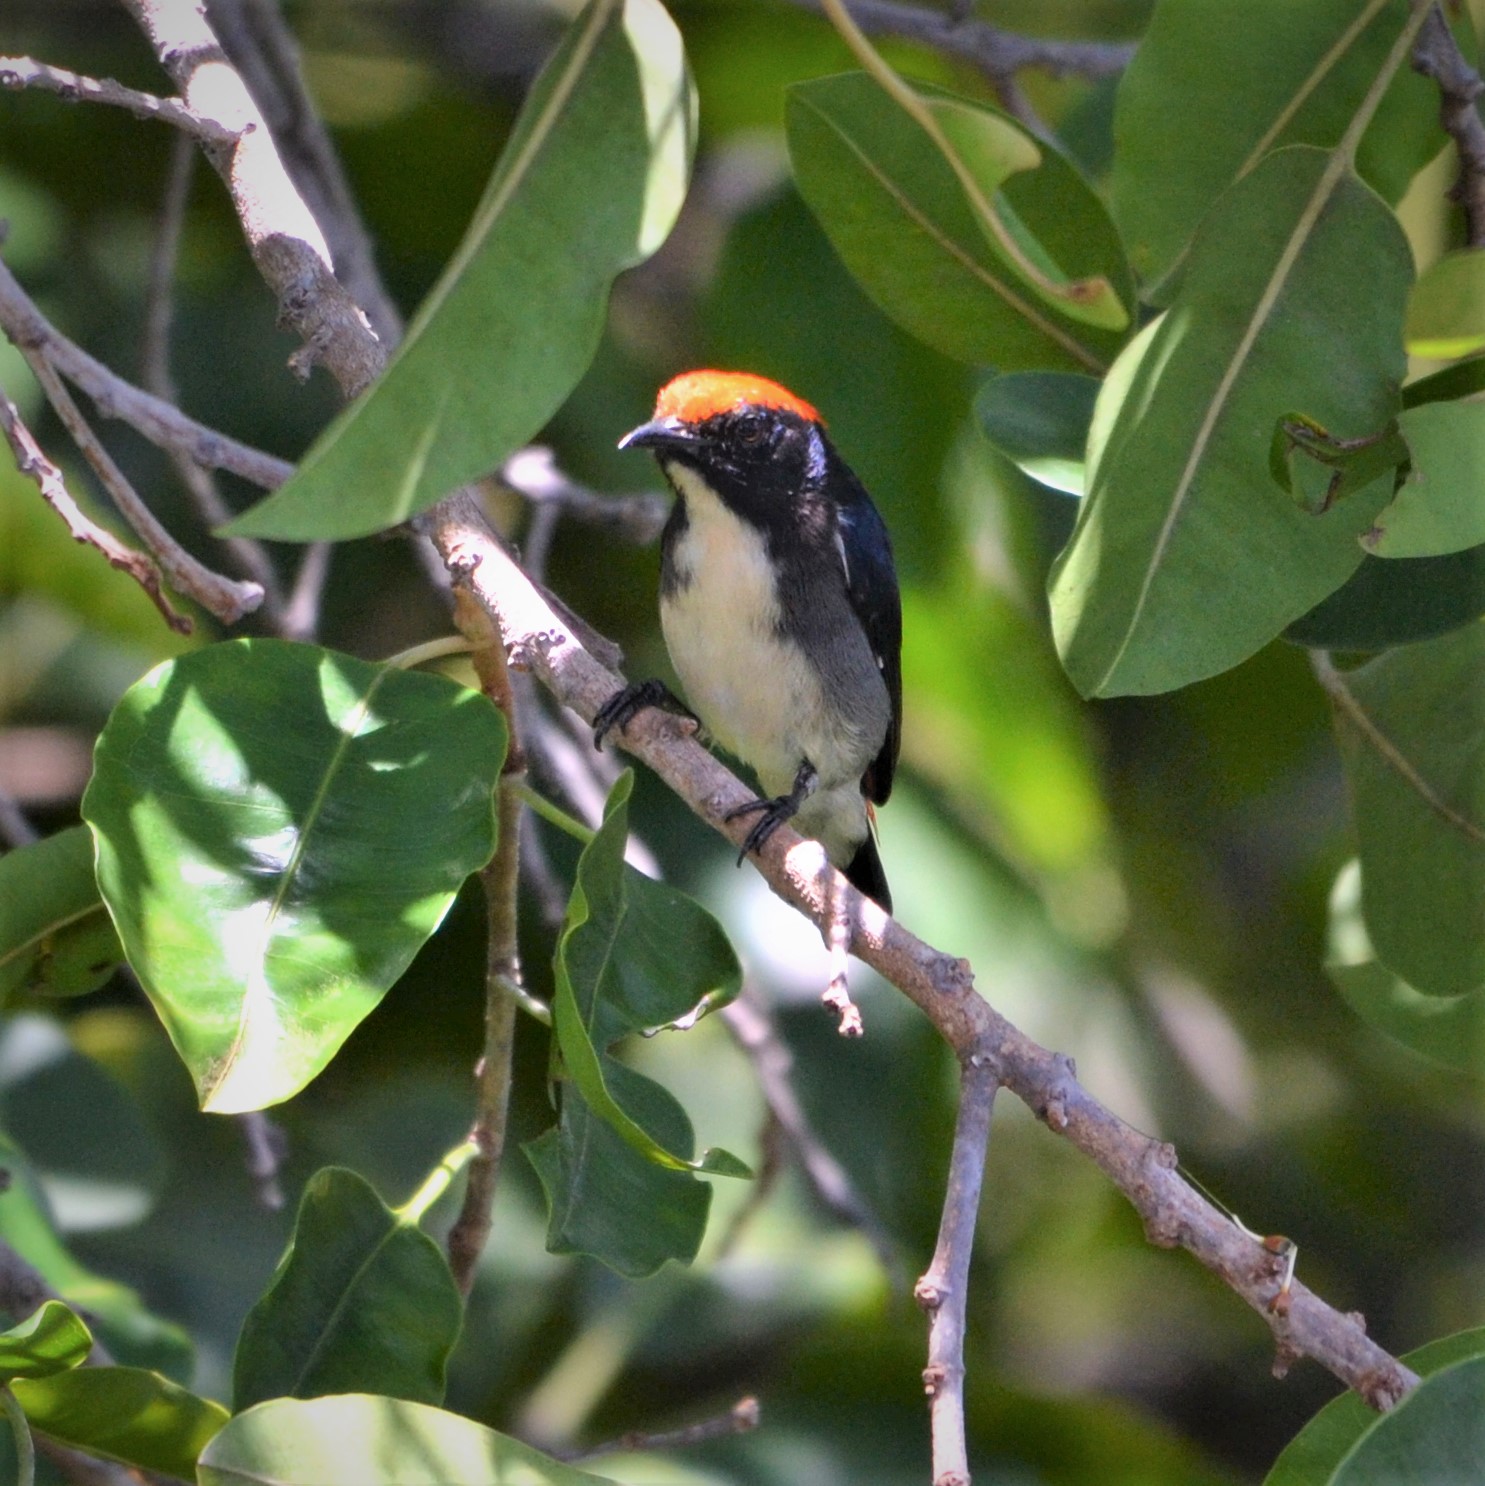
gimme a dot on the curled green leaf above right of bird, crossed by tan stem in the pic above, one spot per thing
(899, 218)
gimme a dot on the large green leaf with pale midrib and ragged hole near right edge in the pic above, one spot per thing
(1187, 557)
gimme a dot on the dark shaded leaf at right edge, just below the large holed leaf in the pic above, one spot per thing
(1397, 601)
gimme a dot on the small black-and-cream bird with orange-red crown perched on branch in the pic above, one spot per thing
(781, 611)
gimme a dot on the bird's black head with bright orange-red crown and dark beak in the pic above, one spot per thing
(759, 447)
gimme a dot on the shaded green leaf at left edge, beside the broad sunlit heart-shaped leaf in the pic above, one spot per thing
(56, 935)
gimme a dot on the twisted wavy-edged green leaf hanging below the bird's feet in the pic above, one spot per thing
(635, 955)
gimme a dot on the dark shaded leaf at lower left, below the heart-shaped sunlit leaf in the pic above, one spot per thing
(362, 1301)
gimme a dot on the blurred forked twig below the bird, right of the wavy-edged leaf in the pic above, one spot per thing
(753, 1029)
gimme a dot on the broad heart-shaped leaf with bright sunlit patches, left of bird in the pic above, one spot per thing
(280, 828)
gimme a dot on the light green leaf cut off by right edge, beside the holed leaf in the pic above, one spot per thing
(1441, 506)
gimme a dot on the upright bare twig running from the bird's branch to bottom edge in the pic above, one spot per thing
(945, 1289)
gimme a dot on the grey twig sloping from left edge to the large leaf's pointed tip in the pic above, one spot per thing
(163, 424)
